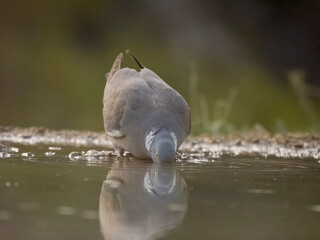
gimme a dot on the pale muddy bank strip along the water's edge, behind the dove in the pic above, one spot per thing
(258, 142)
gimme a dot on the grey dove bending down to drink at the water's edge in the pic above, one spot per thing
(142, 114)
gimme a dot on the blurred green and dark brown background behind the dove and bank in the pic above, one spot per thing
(237, 63)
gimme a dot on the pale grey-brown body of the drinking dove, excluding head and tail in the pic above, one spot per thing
(136, 103)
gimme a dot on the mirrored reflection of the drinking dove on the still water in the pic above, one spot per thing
(142, 203)
